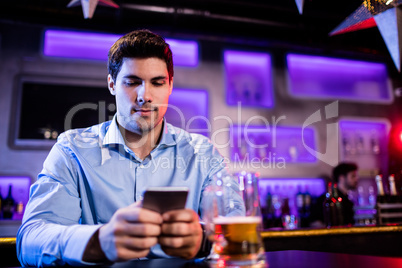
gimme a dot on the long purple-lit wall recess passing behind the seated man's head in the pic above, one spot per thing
(95, 46)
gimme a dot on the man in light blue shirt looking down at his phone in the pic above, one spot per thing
(86, 204)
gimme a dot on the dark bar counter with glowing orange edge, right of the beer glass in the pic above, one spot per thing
(365, 240)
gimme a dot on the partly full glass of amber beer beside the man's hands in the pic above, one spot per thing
(232, 215)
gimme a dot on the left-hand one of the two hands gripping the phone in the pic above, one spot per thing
(130, 233)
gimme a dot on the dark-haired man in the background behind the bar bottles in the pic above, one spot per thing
(346, 177)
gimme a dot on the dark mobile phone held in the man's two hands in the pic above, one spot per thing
(162, 199)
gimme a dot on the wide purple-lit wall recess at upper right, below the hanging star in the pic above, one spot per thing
(324, 77)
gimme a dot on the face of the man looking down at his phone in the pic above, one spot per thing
(142, 91)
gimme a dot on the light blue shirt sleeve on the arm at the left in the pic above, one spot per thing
(50, 233)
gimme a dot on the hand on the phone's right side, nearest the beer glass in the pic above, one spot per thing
(181, 233)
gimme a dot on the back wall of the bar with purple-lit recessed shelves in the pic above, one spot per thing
(244, 101)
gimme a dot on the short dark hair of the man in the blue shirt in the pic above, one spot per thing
(139, 44)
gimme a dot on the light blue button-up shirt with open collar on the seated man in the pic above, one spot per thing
(90, 173)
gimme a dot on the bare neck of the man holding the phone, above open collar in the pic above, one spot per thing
(142, 144)
